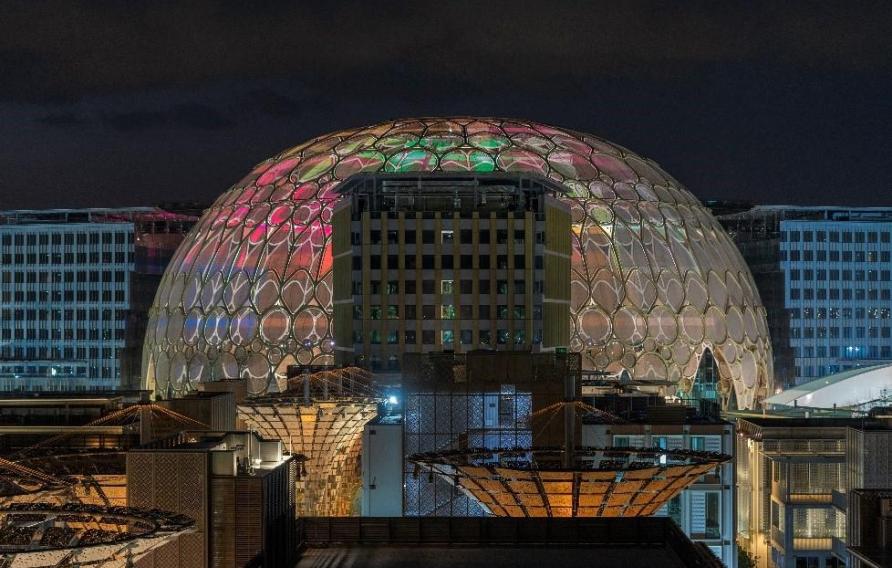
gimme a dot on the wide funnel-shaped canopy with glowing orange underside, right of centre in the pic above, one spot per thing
(610, 482)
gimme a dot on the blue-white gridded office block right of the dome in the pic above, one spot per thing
(825, 276)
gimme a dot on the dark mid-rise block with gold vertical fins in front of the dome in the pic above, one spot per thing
(425, 263)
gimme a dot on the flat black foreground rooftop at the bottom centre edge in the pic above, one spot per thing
(495, 542)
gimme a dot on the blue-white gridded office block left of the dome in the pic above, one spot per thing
(66, 295)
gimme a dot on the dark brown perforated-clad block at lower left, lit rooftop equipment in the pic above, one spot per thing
(238, 488)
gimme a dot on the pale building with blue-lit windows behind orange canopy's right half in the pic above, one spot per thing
(706, 510)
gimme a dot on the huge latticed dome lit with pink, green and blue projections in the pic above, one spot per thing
(656, 281)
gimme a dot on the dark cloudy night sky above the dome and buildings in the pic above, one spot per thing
(106, 103)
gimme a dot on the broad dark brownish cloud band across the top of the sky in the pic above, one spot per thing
(69, 48)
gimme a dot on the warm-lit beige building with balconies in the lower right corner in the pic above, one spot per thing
(794, 479)
